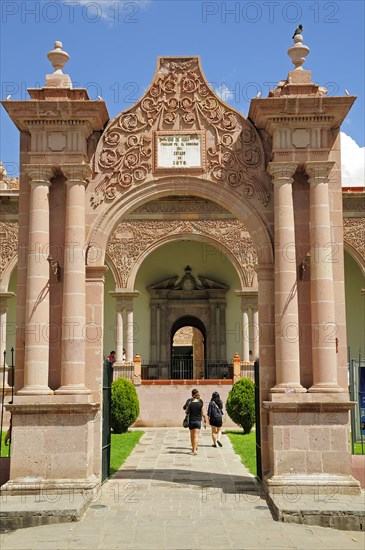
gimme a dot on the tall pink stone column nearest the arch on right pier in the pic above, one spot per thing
(286, 299)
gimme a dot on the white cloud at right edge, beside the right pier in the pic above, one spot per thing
(352, 162)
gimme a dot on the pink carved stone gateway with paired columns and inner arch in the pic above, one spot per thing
(109, 192)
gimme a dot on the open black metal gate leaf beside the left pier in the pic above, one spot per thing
(106, 432)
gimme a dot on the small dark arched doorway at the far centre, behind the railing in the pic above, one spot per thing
(188, 340)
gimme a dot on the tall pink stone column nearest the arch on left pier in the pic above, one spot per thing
(74, 283)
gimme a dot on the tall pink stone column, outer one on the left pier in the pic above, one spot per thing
(36, 357)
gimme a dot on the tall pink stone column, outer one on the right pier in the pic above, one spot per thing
(322, 290)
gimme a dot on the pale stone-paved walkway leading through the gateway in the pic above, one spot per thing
(166, 498)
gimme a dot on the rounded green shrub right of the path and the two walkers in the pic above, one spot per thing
(240, 404)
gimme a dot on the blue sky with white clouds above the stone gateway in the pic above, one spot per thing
(113, 47)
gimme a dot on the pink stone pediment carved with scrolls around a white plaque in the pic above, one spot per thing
(180, 104)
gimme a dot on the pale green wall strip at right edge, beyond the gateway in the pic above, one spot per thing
(355, 307)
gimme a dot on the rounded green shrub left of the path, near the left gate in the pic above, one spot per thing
(124, 405)
